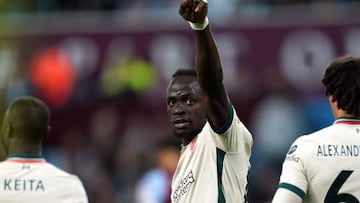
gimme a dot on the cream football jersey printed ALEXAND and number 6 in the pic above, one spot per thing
(324, 166)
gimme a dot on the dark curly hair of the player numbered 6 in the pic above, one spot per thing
(342, 82)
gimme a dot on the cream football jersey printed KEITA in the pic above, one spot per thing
(33, 179)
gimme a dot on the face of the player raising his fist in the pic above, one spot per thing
(185, 107)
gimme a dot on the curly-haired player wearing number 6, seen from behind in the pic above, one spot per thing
(324, 166)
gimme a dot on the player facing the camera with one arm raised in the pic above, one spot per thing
(214, 161)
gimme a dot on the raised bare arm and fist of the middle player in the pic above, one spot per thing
(207, 62)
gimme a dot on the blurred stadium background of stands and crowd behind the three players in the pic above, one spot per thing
(103, 66)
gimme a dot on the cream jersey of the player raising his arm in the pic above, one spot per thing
(213, 168)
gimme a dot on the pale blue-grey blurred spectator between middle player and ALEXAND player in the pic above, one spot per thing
(277, 122)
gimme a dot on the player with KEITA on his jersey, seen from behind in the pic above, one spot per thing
(25, 176)
